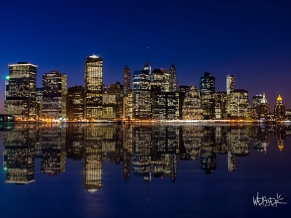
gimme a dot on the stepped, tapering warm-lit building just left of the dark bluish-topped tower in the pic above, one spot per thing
(192, 108)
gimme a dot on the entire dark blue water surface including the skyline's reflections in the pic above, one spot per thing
(78, 170)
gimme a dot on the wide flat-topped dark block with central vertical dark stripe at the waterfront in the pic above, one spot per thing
(165, 105)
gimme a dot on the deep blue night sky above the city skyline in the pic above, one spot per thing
(250, 39)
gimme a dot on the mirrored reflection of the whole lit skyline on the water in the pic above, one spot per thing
(151, 151)
